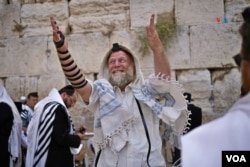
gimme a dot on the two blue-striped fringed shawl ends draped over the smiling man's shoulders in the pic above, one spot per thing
(114, 122)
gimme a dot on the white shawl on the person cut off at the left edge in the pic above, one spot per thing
(15, 136)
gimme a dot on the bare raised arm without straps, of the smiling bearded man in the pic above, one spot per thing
(161, 63)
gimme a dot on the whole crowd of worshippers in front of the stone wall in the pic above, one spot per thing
(127, 110)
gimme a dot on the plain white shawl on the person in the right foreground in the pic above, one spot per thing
(203, 146)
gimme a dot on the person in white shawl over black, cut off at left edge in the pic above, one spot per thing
(10, 133)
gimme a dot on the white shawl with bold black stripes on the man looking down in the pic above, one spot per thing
(41, 127)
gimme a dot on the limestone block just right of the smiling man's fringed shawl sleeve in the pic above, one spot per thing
(198, 83)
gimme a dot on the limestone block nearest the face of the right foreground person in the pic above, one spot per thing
(226, 89)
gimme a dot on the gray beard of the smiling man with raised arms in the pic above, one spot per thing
(121, 79)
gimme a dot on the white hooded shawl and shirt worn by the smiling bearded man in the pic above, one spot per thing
(118, 126)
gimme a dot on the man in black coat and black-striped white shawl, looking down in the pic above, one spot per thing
(52, 139)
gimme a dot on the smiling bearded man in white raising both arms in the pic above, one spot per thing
(127, 109)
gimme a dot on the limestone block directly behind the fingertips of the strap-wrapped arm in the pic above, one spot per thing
(37, 17)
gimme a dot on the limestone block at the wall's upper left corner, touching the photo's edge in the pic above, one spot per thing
(9, 16)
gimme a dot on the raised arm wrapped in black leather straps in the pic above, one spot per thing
(69, 66)
